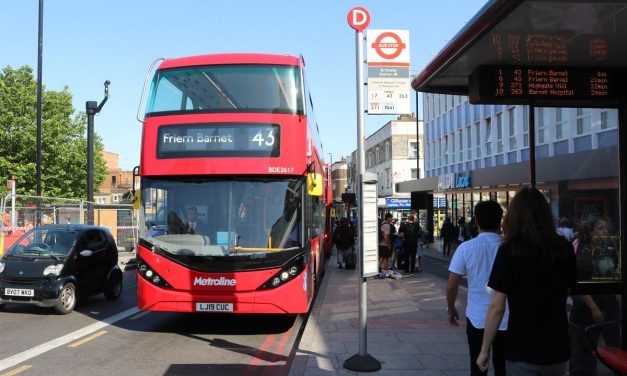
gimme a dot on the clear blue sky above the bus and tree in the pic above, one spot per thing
(88, 42)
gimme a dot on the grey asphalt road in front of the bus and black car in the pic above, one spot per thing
(105, 338)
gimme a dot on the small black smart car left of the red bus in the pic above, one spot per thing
(51, 265)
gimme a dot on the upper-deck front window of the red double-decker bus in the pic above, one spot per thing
(226, 88)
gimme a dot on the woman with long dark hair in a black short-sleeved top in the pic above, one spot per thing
(534, 271)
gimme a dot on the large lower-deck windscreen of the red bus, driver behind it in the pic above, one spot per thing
(218, 217)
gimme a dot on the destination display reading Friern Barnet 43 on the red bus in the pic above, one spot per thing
(218, 140)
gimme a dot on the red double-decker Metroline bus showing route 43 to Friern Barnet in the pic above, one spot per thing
(234, 188)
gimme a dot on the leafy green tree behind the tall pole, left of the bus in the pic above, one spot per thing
(64, 140)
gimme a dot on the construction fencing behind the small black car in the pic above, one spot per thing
(20, 213)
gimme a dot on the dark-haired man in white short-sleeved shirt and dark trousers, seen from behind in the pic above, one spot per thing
(473, 259)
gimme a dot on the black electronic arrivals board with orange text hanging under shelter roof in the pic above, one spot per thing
(547, 86)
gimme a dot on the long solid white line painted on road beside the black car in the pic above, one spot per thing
(57, 342)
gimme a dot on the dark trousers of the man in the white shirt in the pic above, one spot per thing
(475, 338)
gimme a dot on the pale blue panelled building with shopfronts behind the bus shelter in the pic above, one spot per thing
(475, 153)
